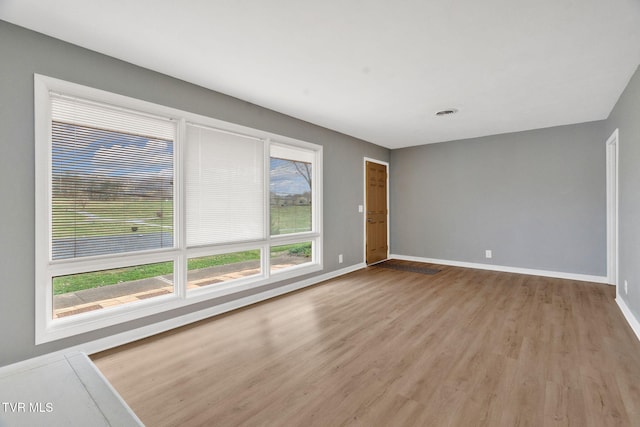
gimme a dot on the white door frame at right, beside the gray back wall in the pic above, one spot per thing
(612, 150)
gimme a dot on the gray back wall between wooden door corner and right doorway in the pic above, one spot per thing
(536, 199)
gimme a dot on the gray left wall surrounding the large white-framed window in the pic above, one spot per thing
(23, 53)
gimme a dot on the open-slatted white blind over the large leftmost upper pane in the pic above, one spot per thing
(112, 180)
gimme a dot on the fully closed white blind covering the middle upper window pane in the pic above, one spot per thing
(224, 181)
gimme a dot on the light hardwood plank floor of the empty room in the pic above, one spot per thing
(380, 347)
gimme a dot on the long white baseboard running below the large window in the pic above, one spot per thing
(122, 338)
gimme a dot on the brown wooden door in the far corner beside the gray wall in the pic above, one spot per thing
(376, 211)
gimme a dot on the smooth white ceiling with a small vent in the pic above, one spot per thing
(374, 69)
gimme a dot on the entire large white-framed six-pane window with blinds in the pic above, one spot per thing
(142, 208)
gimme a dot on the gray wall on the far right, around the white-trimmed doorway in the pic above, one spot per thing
(626, 117)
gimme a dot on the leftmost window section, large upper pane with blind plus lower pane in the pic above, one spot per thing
(111, 192)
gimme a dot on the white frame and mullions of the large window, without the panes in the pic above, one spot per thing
(48, 329)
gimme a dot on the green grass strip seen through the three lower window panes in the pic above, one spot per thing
(78, 282)
